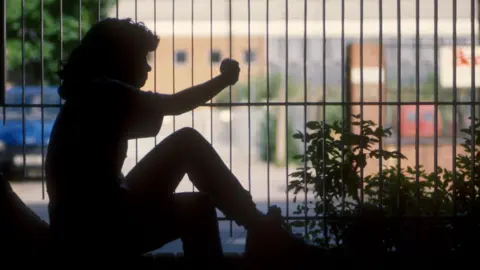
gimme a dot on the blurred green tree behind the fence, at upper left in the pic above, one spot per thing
(57, 41)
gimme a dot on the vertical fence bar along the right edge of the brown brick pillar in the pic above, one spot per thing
(380, 99)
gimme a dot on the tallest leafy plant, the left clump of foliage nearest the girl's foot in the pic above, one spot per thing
(333, 160)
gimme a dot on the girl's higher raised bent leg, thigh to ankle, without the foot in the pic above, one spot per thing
(158, 174)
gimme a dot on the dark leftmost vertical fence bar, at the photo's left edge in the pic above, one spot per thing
(3, 53)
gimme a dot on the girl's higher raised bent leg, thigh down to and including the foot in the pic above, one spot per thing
(158, 174)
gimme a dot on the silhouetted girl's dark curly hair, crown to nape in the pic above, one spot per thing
(105, 41)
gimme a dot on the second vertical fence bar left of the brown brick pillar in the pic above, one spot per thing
(324, 110)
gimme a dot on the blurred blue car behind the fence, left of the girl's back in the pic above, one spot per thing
(23, 145)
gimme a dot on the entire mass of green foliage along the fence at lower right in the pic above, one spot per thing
(331, 175)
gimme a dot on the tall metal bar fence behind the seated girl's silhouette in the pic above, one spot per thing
(303, 43)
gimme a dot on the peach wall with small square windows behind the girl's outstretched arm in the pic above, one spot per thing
(164, 73)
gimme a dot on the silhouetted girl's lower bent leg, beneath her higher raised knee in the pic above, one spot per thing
(191, 217)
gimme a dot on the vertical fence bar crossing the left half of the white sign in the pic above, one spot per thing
(454, 110)
